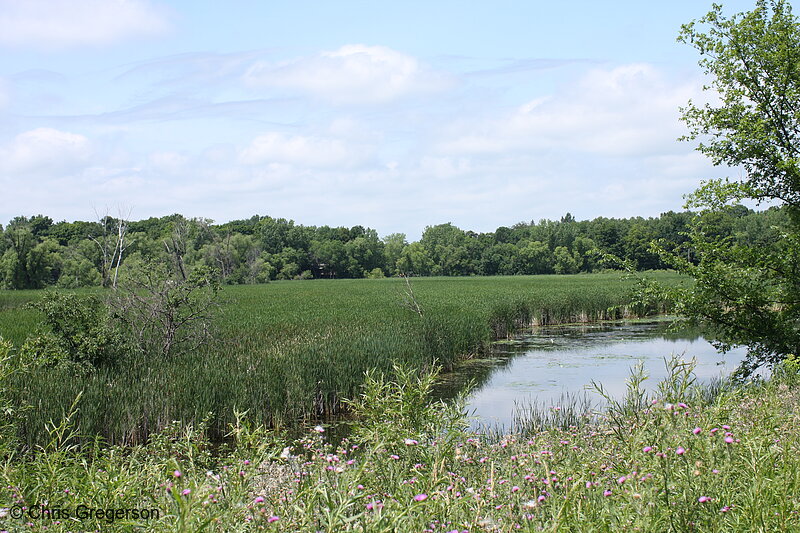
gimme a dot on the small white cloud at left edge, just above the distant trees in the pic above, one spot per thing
(45, 150)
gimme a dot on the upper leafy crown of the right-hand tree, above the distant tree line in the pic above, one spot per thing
(754, 60)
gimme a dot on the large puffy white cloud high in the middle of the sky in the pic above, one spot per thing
(353, 74)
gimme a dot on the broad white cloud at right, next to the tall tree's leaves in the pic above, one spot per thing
(631, 110)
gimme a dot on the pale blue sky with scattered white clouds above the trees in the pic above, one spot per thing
(391, 115)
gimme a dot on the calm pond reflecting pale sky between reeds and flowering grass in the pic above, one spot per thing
(548, 364)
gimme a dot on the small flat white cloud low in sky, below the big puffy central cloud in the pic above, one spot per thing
(299, 150)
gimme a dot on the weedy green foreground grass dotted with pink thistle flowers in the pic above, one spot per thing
(694, 461)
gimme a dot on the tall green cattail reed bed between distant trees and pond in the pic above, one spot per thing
(291, 351)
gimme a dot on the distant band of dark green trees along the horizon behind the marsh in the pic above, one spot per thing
(36, 252)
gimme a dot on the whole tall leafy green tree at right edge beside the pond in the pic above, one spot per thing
(750, 294)
